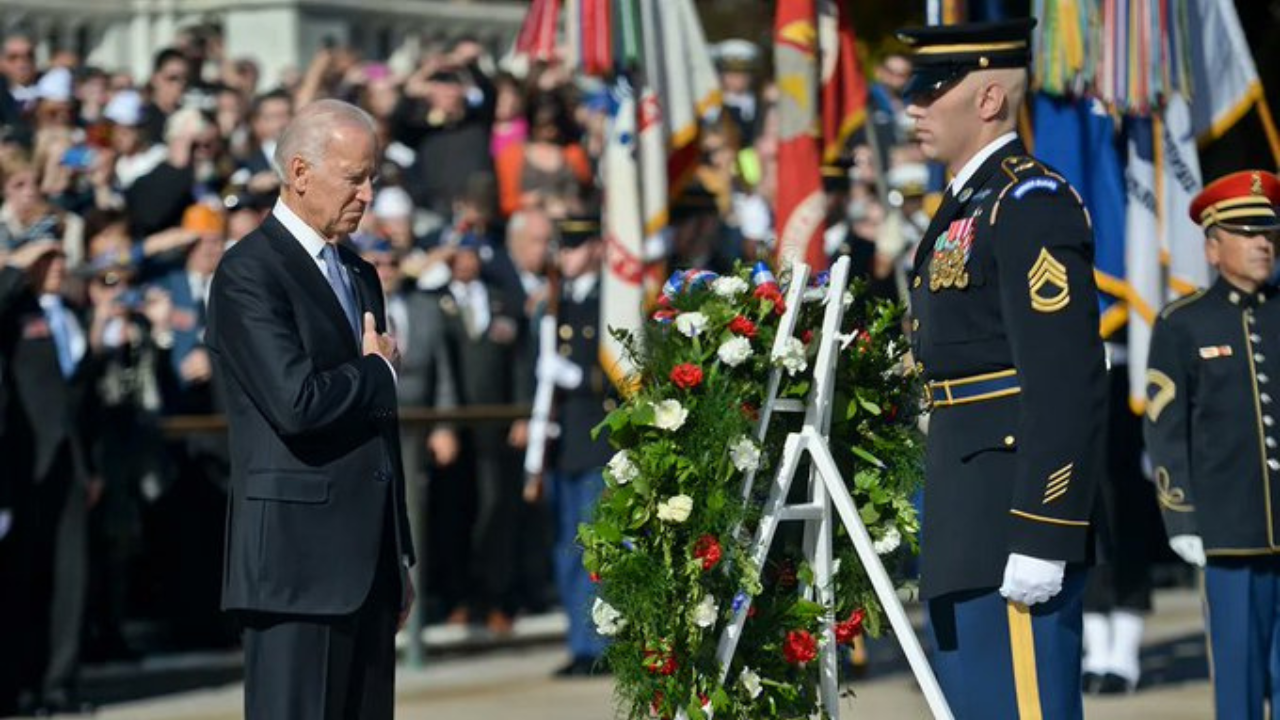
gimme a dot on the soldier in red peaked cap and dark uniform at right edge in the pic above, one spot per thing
(1213, 440)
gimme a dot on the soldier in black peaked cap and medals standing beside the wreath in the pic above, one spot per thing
(1005, 330)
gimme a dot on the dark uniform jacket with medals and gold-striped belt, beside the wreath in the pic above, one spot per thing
(1007, 332)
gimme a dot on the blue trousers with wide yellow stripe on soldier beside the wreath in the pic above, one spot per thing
(996, 659)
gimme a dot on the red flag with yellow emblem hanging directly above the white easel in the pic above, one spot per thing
(802, 207)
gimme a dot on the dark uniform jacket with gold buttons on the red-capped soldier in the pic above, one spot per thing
(1212, 420)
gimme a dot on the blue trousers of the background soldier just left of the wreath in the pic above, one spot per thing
(573, 496)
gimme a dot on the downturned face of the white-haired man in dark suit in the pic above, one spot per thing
(336, 192)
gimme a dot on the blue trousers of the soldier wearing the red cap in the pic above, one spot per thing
(1245, 635)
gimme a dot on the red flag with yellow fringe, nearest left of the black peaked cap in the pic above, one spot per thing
(844, 88)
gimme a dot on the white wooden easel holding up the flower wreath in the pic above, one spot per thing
(828, 491)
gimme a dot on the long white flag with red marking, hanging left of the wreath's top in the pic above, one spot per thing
(623, 288)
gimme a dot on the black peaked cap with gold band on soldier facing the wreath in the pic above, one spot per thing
(944, 54)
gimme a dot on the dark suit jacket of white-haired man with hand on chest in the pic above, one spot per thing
(316, 449)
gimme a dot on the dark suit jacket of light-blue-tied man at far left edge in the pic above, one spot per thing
(43, 409)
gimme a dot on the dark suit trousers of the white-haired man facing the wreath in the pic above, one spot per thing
(327, 668)
